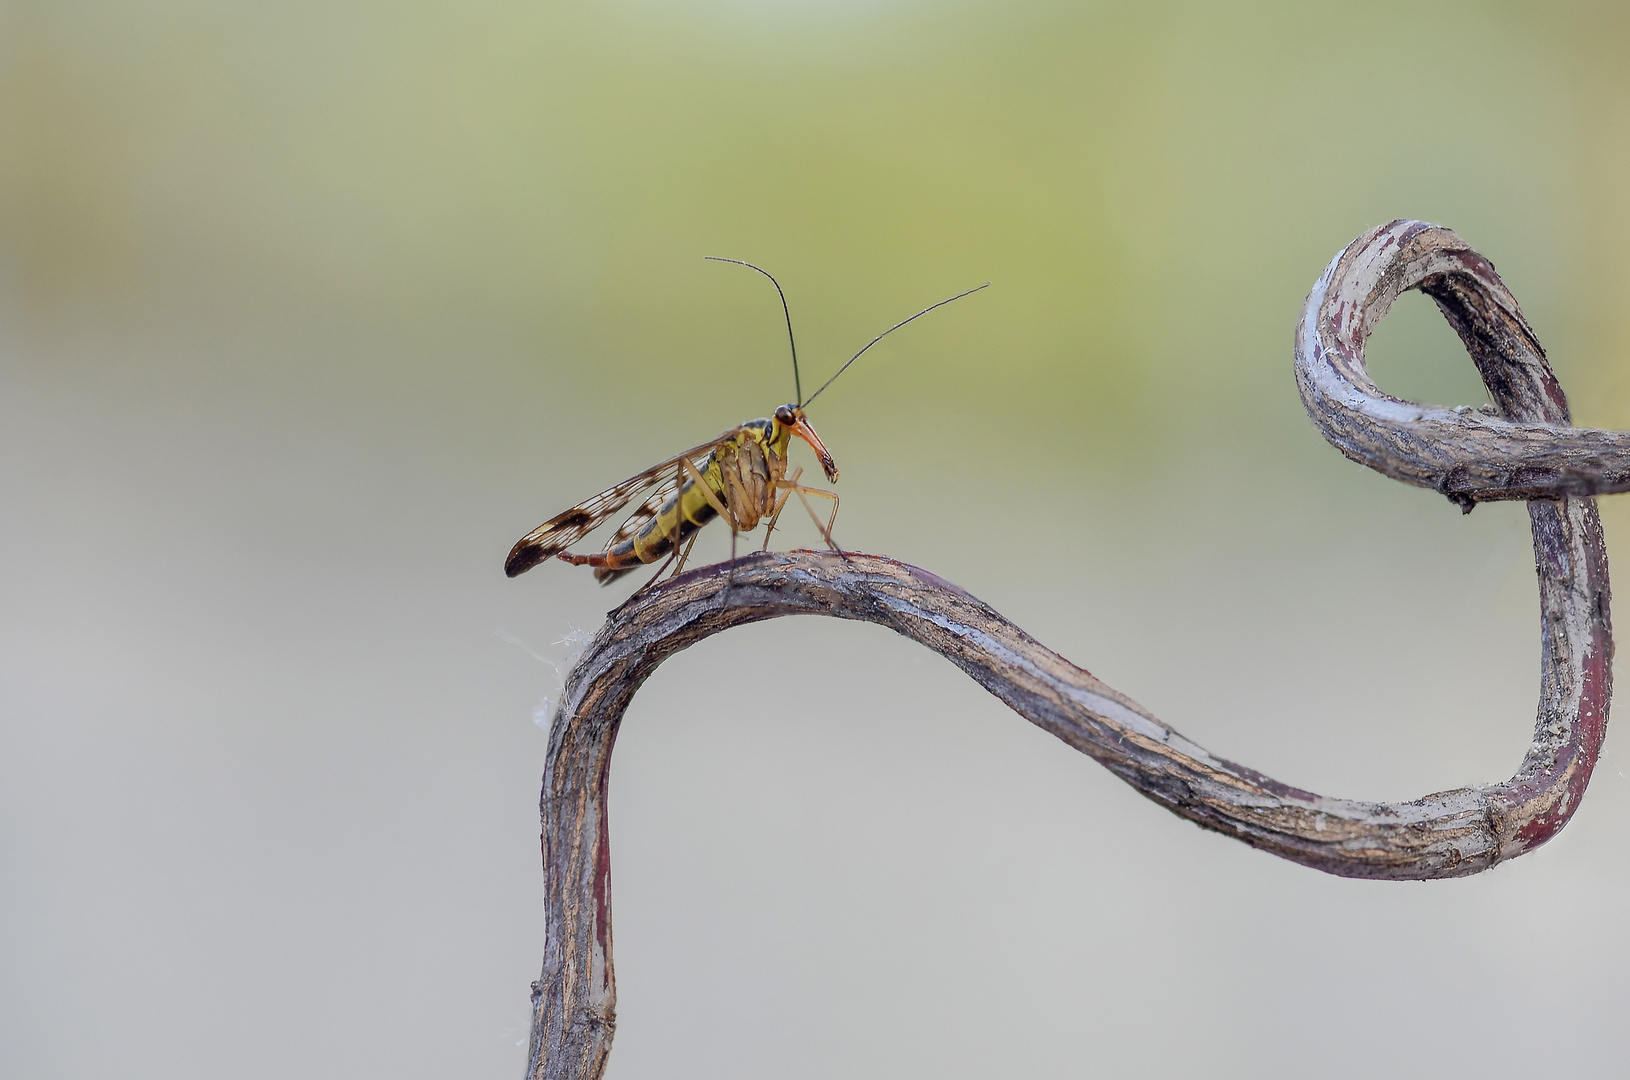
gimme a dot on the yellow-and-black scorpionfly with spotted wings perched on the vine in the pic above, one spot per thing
(739, 476)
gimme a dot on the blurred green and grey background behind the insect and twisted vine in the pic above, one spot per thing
(311, 310)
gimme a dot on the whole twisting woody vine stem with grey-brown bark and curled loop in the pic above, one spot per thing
(1520, 449)
